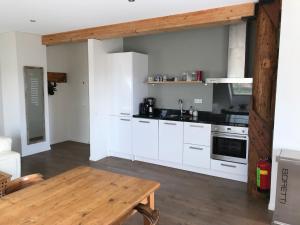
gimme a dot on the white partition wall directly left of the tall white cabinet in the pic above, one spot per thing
(97, 51)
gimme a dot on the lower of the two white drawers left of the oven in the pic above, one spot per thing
(195, 155)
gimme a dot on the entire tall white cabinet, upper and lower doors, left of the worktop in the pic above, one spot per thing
(127, 72)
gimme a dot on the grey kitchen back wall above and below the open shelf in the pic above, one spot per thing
(176, 52)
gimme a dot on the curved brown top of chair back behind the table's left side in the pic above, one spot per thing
(23, 182)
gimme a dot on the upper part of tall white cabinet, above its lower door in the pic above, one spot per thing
(127, 73)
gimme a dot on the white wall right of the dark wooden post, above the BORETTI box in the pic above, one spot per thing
(287, 111)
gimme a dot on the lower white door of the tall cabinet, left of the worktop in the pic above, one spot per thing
(120, 136)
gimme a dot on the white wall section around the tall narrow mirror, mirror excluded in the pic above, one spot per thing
(16, 51)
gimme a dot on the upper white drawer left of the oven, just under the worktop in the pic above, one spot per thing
(197, 133)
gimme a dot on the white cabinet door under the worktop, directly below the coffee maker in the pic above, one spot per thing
(145, 138)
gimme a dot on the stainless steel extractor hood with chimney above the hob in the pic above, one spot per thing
(236, 56)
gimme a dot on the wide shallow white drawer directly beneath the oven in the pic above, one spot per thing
(229, 167)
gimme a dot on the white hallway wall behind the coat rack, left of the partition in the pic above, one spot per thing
(69, 106)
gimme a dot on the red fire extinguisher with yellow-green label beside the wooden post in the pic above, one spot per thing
(263, 171)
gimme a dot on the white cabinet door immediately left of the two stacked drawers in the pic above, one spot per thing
(170, 141)
